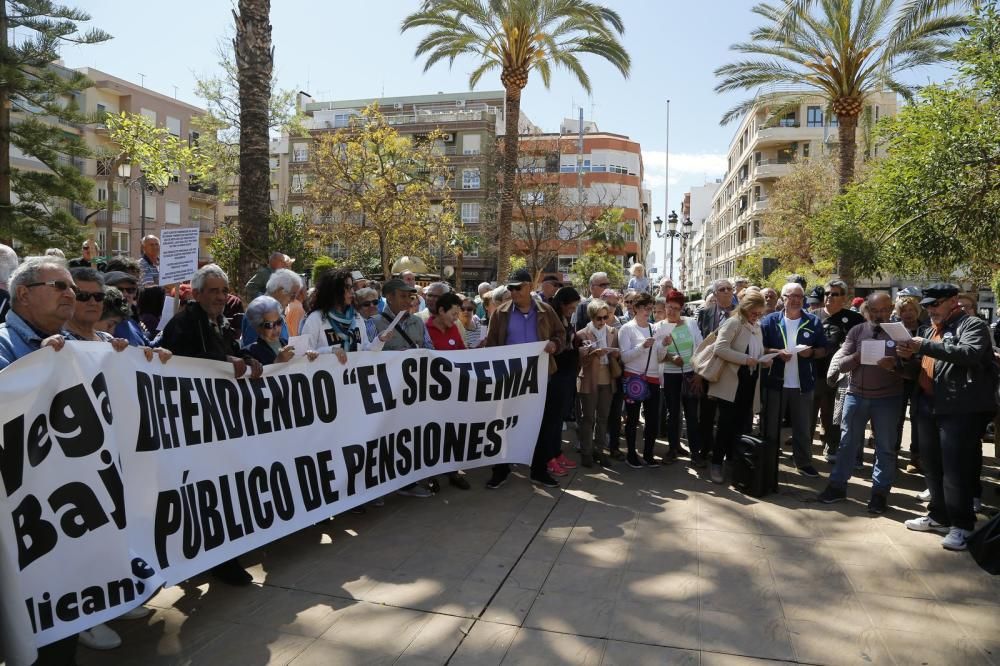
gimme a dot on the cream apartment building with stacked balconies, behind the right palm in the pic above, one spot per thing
(783, 127)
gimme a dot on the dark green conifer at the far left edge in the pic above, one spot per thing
(31, 89)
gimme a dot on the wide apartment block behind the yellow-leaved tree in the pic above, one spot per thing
(471, 123)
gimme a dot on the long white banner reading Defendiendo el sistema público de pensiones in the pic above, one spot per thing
(121, 475)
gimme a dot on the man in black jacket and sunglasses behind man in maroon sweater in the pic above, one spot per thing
(837, 320)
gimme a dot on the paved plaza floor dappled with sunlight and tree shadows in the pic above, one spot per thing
(621, 567)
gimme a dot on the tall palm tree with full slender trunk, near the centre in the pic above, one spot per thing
(517, 37)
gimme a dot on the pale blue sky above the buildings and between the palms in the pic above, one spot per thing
(346, 50)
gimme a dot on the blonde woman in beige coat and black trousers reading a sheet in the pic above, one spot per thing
(739, 344)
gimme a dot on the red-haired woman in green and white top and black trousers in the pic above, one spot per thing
(681, 387)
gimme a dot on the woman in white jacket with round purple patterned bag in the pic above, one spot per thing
(641, 354)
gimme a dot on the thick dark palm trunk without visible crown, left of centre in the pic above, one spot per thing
(254, 63)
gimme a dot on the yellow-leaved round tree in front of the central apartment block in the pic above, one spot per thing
(383, 192)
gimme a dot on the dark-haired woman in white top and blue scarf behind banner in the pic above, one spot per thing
(332, 324)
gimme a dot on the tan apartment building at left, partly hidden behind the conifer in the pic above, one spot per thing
(181, 204)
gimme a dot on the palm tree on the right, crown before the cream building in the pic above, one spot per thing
(842, 50)
